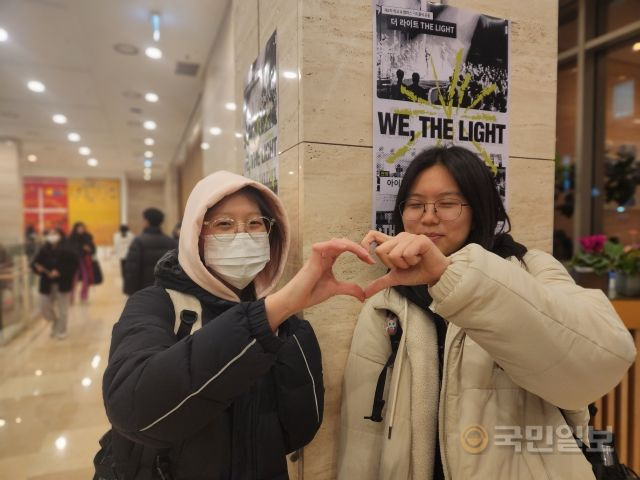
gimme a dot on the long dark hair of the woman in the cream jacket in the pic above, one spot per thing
(478, 187)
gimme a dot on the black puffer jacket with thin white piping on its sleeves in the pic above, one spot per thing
(228, 401)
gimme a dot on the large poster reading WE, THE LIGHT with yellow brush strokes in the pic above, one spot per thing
(440, 77)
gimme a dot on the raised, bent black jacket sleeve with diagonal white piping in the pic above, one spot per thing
(158, 391)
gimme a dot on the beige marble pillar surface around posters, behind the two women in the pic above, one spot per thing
(325, 122)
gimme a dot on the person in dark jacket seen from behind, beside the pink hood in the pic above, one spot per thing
(145, 251)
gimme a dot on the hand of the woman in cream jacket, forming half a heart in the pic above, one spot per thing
(411, 259)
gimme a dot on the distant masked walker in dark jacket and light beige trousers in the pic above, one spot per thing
(56, 264)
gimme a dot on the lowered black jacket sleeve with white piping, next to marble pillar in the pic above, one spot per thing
(300, 387)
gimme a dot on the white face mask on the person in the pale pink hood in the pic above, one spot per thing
(237, 261)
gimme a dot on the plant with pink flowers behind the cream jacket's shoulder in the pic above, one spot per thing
(591, 265)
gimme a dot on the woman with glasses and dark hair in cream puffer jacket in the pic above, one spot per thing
(523, 349)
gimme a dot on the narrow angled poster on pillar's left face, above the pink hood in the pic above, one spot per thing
(260, 116)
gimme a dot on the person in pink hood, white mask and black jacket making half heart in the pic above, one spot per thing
(233, 397)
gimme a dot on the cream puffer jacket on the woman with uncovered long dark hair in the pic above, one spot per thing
(526, 351)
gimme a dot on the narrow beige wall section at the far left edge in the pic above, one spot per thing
(12, 229)
